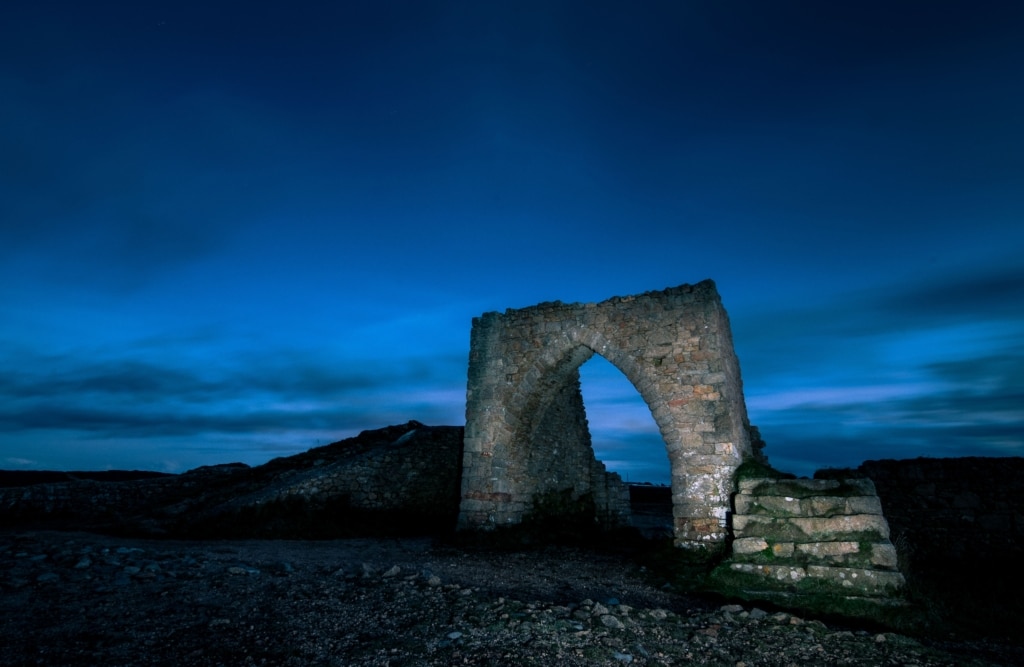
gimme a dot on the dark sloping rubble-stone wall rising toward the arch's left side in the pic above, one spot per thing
(411, 471)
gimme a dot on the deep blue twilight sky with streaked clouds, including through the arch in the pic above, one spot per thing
(231, 232)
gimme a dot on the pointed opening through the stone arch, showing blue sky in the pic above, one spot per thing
(628, 441)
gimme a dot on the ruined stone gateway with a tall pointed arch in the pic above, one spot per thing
(527, 430)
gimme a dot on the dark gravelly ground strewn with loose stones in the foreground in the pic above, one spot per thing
(72, 599)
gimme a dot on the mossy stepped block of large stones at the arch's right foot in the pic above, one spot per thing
(814, 536)
